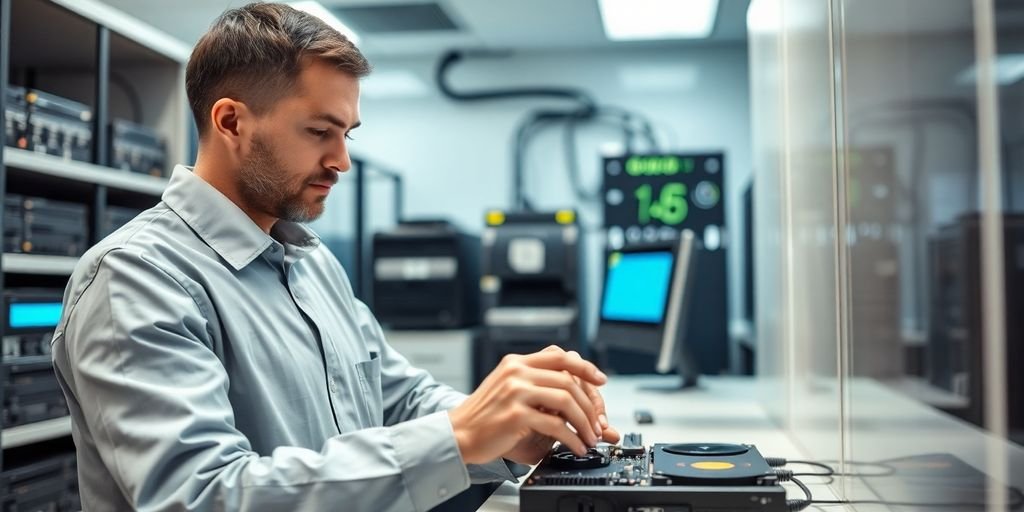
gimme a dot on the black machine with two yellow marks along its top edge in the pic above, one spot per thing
(531, 283)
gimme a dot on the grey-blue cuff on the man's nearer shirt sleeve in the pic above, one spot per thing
(429, 454)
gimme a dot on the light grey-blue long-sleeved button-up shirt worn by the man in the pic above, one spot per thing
(208, 366)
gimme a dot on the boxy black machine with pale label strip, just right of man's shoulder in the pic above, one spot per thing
(425, 276)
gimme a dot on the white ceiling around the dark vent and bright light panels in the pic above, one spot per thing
(509, 25)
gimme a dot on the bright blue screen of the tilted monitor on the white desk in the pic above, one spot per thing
(637, 287)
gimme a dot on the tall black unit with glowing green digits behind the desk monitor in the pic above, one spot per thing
(651, 198)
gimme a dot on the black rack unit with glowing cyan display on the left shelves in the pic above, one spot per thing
(31, 318)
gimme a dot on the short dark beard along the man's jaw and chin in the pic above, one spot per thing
(267, 186)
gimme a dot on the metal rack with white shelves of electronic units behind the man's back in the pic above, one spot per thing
(76, 50)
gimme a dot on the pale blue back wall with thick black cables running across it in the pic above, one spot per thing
(456, 158)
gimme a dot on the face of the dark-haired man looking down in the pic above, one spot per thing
(298, 148)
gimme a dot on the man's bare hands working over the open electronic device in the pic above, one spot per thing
(524, 406)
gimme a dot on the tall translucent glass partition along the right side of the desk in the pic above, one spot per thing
(891, 143)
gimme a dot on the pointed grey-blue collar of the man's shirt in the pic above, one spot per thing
(224, 227)
